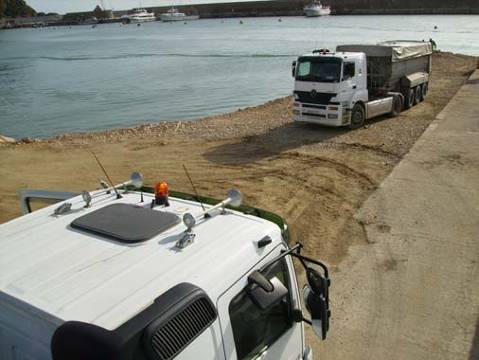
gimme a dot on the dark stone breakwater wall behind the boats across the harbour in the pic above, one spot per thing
(264, 8)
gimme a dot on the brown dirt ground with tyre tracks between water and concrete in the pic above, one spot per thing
(315, 177)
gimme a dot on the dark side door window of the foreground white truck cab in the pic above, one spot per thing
(255, 330)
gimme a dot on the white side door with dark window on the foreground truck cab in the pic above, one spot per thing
(251, 333)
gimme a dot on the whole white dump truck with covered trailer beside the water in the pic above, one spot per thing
(359, 82)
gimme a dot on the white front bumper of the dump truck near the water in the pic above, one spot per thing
(329, 115)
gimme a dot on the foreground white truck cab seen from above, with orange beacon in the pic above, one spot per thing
(129, 274)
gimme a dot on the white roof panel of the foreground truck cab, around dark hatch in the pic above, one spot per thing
(63, 273)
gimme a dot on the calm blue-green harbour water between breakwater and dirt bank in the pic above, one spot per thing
(57, 80)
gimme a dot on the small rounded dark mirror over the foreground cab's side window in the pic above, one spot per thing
(265, 293)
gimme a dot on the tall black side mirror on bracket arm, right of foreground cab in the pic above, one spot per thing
(316, 299)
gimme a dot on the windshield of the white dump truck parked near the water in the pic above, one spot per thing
(320, 69)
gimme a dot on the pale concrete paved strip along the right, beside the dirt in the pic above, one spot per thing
(412, 292)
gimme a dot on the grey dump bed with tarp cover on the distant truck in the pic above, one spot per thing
(390, 62)
